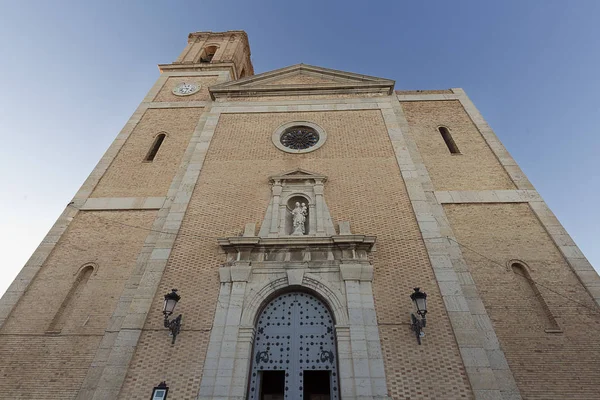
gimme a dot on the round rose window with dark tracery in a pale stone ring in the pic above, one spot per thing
(299, 137)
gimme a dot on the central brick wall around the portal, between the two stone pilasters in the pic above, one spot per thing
(364, 187)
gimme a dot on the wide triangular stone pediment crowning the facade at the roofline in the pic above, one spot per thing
(302, 79)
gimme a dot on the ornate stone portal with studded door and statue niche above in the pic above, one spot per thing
(328, 269)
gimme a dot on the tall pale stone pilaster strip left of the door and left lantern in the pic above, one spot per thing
(109, 368)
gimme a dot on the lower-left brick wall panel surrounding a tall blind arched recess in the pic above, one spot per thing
(37, 365)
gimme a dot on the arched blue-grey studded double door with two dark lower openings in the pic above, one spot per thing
(294, 354)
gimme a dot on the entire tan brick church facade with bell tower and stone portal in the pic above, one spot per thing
(295, 212)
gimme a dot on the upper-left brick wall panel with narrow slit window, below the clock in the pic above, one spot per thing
(129, 175)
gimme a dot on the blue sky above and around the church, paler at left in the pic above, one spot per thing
(73, 72)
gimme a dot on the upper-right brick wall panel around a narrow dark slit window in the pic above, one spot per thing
(476, 168)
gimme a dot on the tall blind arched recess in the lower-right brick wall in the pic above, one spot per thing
(531, 297)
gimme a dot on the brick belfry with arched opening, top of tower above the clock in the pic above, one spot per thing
(215, 51)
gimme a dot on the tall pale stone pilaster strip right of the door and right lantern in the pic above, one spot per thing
(485, 363)
